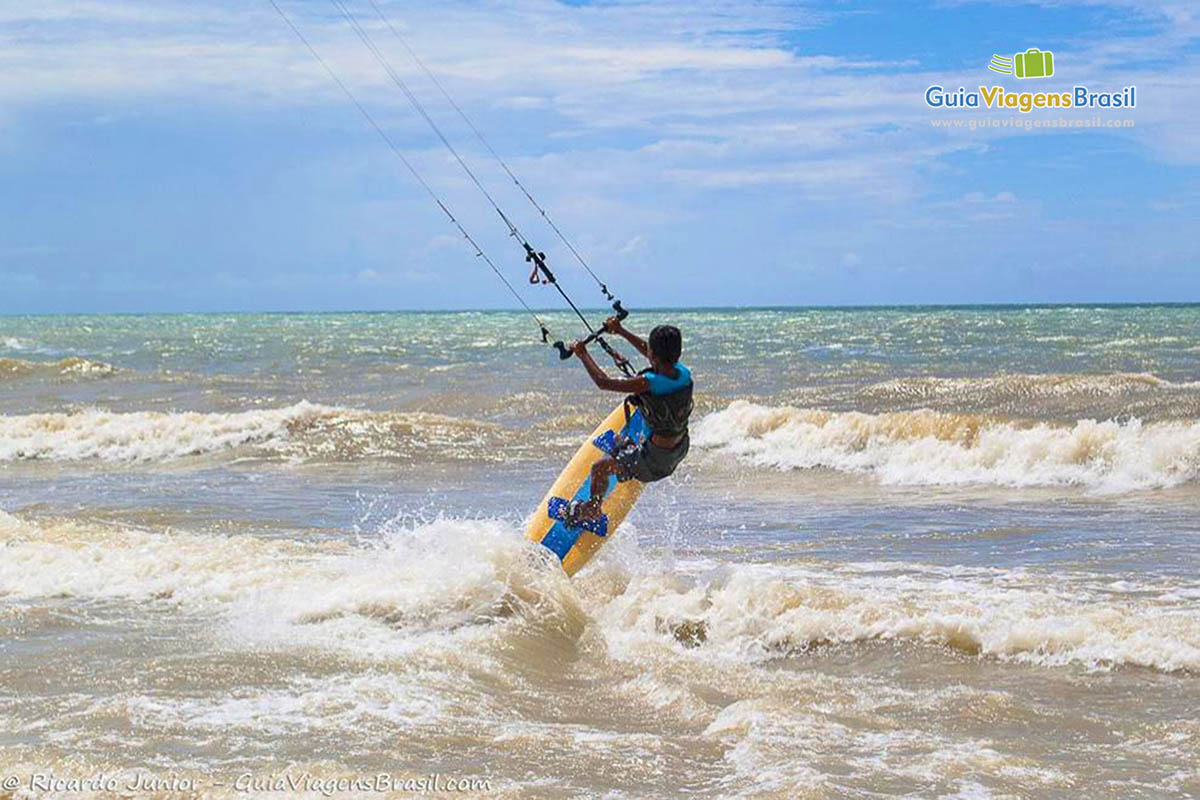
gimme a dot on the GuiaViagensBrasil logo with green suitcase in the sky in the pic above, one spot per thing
(1033, 63)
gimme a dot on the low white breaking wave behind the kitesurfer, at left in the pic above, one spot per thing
(303, 431)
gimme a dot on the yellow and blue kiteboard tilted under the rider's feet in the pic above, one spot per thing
(575, 545)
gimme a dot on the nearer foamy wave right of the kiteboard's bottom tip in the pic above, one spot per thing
(755, 613)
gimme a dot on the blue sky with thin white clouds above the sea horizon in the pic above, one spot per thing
(165, 155)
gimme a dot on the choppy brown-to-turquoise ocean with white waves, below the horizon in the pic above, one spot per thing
(915, 552)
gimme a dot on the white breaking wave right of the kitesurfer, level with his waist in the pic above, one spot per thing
(933, 448)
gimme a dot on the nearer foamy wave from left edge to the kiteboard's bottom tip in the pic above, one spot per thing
(412, 587)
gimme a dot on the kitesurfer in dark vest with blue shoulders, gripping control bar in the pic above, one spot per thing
(663, 393)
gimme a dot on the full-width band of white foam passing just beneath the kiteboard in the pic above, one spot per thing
(434, 590)
